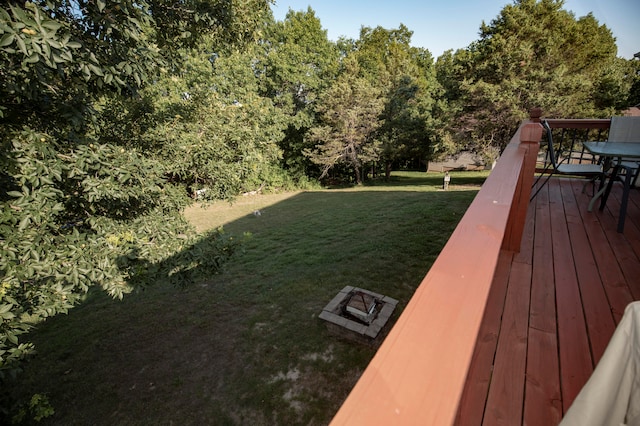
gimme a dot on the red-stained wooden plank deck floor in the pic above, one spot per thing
(561, 298)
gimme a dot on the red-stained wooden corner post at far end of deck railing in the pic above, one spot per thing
(530, 135)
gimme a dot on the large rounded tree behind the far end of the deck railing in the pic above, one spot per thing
(534, 54)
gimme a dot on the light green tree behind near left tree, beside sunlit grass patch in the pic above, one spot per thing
(210, 114)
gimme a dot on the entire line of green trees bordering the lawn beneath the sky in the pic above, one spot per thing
(115, 115)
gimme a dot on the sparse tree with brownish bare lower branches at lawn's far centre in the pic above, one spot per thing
(350, 112)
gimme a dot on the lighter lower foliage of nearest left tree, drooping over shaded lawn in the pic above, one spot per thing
(96, 215)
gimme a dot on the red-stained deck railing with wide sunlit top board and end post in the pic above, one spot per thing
(418, 374)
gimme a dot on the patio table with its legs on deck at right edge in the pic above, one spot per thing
(614, 152)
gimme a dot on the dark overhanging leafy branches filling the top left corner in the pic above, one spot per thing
(58, 56)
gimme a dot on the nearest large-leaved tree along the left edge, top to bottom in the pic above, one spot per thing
(78, 210)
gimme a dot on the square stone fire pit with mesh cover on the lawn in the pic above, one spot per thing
(358, 314)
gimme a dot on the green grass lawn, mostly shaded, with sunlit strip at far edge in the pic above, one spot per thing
(247, 347)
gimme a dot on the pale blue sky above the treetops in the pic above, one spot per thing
(453, 24)
